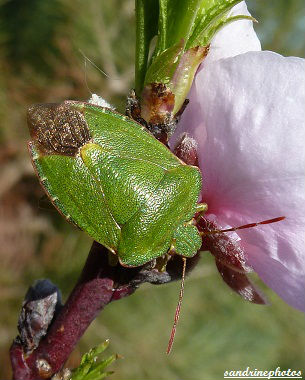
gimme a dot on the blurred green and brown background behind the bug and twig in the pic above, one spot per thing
(42, 48)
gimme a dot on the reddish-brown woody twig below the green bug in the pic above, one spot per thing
(98, 285)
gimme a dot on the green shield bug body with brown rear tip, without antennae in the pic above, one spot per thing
(108, 175)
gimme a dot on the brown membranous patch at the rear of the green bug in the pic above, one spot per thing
(57, 128)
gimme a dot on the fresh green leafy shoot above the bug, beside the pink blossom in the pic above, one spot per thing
(181, 26)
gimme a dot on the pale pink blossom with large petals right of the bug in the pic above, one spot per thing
(246, 113)
